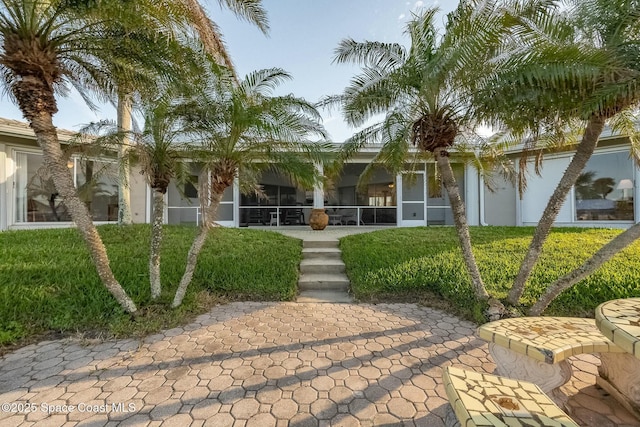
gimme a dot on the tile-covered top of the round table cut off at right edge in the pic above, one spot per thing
(619, 320)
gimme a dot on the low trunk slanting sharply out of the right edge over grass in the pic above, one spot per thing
(603, 255)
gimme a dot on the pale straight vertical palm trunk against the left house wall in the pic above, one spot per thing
(124, 169)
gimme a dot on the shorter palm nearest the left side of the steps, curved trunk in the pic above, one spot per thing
(242, 129)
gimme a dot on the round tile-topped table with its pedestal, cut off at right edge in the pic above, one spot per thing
(619, 320)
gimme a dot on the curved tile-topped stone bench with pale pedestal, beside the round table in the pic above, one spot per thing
(536, 349)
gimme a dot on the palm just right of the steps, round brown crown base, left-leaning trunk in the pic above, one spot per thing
(423, 93)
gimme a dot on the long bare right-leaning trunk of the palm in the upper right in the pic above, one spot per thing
(583, 154)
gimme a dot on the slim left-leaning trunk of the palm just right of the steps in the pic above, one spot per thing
(460, 220)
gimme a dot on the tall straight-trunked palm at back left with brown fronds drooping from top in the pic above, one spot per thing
(192, 15)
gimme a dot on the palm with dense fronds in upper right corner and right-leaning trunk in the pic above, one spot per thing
(575, 59)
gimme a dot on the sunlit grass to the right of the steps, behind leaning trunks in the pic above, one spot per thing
(426, 263)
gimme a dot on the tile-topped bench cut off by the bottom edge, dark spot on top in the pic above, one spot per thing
(487, 400)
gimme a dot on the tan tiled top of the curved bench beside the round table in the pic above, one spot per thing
(548, 339)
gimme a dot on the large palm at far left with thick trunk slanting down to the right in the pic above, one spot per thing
(49, 45)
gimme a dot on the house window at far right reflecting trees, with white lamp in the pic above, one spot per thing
(604, 190)
